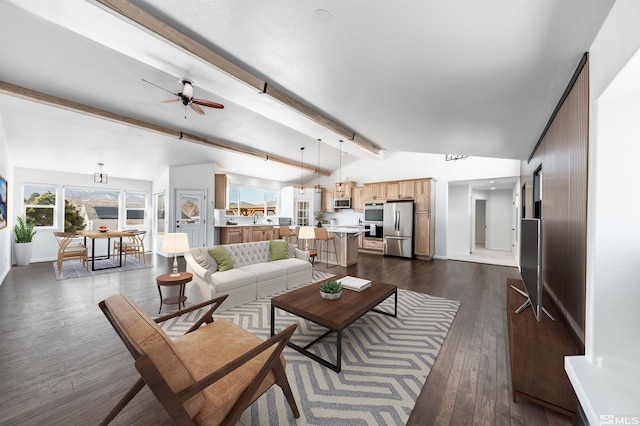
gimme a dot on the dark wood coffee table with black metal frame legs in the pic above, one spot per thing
(336, 315)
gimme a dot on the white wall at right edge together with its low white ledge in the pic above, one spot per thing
(606, 378)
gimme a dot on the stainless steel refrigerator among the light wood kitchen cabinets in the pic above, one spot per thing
(398, 228)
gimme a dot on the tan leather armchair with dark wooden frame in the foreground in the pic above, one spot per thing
(208, 376)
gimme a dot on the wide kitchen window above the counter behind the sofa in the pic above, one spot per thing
(247, 201)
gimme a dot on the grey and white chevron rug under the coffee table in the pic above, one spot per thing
(385, 362)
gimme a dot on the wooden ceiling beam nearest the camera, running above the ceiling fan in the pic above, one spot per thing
(172, 35)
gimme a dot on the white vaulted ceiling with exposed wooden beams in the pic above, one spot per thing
(471, 77)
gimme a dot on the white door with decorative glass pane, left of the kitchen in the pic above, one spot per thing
(191, 211)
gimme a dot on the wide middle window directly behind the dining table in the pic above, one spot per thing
(96, 207)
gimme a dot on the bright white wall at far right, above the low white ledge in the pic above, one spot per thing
(613, 279)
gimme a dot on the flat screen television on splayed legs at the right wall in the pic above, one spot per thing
(531, 266)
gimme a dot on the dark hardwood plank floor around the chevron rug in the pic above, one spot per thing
(61, 363)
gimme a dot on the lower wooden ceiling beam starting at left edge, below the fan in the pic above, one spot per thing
(54, 101)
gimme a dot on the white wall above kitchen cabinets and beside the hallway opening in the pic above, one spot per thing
(410, 165)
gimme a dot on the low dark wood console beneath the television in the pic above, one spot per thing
(537, 351)
